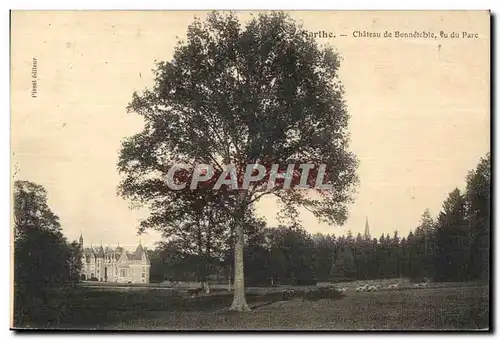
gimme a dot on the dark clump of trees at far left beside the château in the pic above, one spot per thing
(44, 261)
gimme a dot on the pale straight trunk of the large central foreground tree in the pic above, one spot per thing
(239, 301)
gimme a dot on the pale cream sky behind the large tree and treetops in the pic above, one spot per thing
(419, 109)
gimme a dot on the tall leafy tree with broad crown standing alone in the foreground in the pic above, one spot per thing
(263, 92)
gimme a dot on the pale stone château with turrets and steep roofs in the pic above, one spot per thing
(115, 265)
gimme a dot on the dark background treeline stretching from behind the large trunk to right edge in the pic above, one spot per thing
(453, 246)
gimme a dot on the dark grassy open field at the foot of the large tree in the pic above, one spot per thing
(447, 306)
